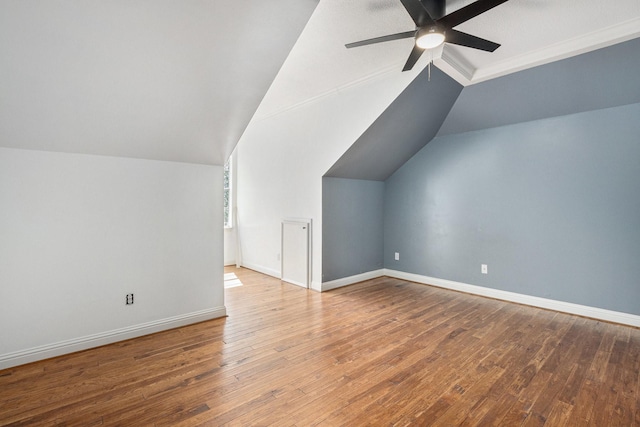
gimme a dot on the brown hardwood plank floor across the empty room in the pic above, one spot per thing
(382, 352)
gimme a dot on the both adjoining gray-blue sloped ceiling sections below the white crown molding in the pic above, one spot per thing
(594, 80)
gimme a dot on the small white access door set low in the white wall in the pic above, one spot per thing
(295, 252)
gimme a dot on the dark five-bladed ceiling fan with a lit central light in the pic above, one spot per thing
(434, 29)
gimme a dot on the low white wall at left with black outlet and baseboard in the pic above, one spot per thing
(79, 232)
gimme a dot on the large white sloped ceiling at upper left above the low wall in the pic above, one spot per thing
(154, 79)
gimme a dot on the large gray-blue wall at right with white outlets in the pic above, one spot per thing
(552, 206)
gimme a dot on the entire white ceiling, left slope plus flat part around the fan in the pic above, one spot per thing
(180, 80)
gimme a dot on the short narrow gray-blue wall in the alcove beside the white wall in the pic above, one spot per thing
(352, 227)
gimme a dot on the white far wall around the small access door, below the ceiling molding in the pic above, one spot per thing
(283, 157)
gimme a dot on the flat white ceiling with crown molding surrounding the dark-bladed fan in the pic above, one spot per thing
(532, 32)
